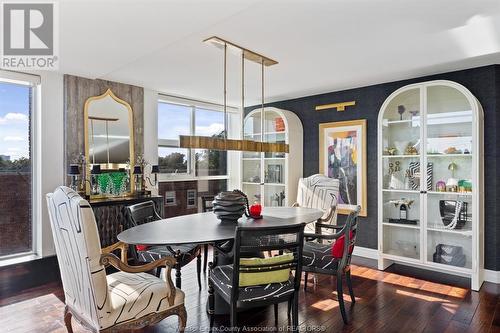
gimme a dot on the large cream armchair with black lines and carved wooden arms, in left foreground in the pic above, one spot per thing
(127, 299)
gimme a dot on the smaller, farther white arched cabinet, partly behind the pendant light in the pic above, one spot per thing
(271, 178)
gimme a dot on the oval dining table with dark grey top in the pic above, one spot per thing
(206, 228)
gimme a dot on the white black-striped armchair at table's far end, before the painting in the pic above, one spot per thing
(320, 192)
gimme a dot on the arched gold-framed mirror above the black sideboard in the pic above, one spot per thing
(109, 146)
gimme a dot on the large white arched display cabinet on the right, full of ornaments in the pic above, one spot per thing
(432, 216)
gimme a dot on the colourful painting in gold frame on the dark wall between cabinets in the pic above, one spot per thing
(342, 155)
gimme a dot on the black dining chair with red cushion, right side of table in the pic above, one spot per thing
(319, 258)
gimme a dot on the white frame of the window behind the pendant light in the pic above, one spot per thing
(191, 156)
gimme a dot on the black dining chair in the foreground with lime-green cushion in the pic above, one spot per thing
(225, 279)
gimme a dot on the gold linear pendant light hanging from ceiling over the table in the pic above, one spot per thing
(214, 143)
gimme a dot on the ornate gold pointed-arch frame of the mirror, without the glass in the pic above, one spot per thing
(89, 100)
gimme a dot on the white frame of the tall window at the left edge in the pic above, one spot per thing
(34, 82)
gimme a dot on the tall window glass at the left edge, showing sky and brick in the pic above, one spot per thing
(16, 181)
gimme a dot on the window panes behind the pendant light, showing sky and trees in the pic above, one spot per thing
(189, 119)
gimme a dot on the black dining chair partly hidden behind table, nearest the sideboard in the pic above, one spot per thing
(145, 212)
